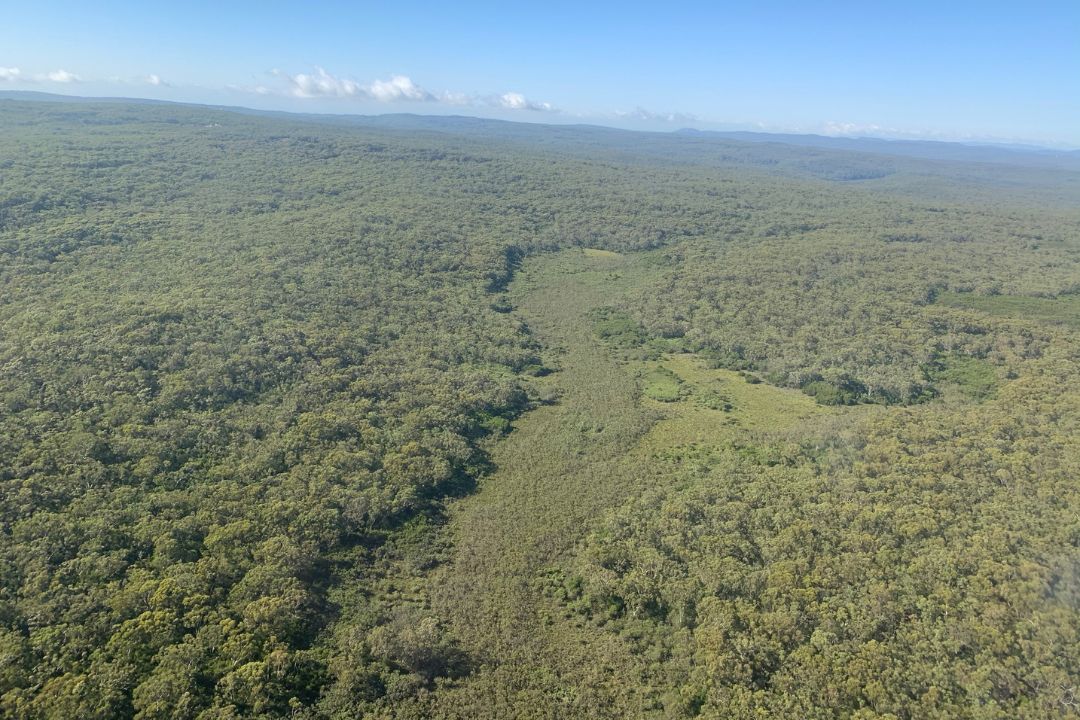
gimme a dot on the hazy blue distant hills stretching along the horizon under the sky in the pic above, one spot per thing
(831, 159)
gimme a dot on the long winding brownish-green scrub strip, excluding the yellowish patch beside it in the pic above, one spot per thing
(564, 465)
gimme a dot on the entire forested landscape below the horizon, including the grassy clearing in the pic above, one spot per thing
(333, 418)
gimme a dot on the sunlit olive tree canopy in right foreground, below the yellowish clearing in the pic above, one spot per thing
(924, 576)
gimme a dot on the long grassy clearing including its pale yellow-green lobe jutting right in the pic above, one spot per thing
(565, 466)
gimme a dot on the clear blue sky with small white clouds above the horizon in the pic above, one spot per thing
(948, 71)
